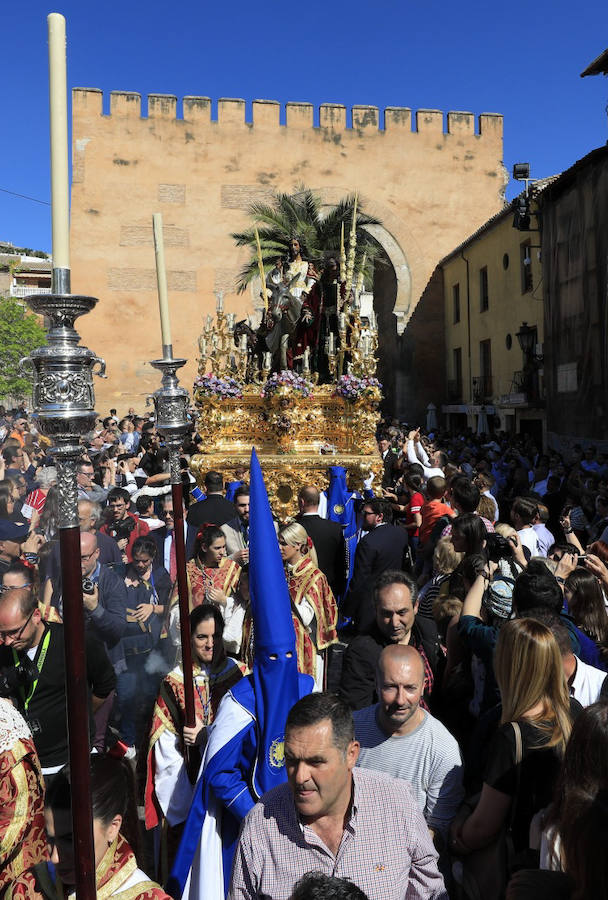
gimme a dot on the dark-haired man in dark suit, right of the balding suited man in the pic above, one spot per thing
(381, 549)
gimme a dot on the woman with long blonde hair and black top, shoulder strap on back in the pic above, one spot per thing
(525, 754)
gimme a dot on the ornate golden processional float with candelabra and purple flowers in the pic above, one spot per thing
(298, 426)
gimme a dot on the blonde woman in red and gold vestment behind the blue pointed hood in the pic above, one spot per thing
(313, 606)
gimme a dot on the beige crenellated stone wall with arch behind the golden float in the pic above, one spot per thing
(430, 187)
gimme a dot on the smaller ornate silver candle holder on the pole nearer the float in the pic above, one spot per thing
(171, 407)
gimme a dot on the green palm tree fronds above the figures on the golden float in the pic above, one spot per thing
(300, 215)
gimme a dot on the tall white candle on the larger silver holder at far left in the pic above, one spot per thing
(60, 191)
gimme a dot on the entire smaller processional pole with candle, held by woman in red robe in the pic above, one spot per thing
(171, 407)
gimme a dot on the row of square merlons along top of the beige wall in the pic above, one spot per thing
(366, 120)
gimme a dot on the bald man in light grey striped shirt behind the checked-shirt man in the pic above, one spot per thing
(399, 737)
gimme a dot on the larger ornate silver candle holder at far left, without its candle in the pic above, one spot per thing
(63, 393)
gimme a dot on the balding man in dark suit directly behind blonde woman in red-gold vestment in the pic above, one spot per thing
(328, 538)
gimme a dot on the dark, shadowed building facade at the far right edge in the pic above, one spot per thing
(574, 210)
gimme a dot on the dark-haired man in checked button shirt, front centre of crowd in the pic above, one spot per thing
(333, 818)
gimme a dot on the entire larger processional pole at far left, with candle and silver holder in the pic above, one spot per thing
(63, 400)
